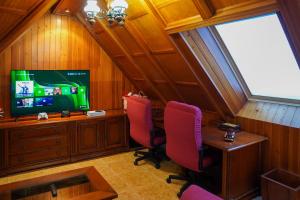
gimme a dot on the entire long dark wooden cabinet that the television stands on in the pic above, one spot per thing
(27, 145)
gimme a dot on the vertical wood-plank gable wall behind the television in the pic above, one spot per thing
(58, 43)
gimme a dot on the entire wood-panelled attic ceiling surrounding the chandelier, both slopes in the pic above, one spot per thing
(148, 49)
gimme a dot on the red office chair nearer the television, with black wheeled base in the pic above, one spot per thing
(142, 130)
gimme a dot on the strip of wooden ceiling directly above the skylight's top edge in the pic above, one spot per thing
(178, 15)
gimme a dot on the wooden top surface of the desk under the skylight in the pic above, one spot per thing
(214, 137)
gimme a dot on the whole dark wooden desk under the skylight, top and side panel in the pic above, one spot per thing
(241, 162)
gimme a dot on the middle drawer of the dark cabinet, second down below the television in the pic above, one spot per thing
(37, 144)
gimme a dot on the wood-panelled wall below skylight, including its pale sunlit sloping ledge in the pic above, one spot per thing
(281, 124)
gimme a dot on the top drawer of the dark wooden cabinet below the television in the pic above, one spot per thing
(37, 131)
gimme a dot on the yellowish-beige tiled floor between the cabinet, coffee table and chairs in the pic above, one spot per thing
(131, 182)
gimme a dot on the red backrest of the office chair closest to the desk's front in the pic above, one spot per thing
(182, 124)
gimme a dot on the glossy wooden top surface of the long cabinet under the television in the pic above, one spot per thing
(56, 119)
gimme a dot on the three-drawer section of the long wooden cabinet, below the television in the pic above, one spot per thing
(29, 147)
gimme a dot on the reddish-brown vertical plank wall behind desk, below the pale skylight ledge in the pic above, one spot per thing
(283, 147)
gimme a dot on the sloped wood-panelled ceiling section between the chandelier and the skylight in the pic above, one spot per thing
(149, 55)
